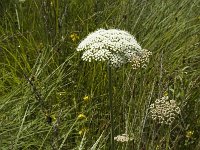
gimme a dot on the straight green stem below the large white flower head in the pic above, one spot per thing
(111, 107)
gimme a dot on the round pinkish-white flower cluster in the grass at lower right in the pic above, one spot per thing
(164, 110)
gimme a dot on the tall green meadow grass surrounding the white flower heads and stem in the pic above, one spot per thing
(44, 84)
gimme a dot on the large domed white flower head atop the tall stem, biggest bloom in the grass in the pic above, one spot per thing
(117, 47)
